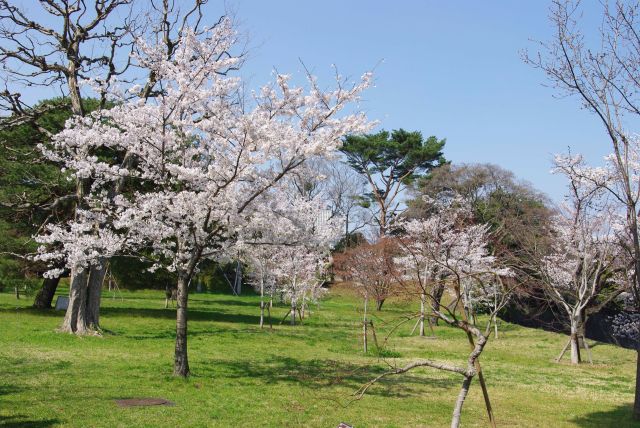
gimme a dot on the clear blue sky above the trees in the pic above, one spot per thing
(447, 68)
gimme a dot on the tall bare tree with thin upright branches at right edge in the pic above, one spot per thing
(605, 78)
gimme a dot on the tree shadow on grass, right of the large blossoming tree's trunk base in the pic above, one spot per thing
(322, 374)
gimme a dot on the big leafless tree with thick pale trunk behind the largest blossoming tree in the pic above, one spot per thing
(67, 46)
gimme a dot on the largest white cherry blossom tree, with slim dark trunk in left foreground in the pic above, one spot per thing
(202, 154)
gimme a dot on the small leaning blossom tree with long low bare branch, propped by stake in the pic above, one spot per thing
(447, 247)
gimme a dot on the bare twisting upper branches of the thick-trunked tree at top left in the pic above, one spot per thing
(84, 43)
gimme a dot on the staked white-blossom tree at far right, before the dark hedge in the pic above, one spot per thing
(579, 272)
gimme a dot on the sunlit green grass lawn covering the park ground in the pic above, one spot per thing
(290, 376)
